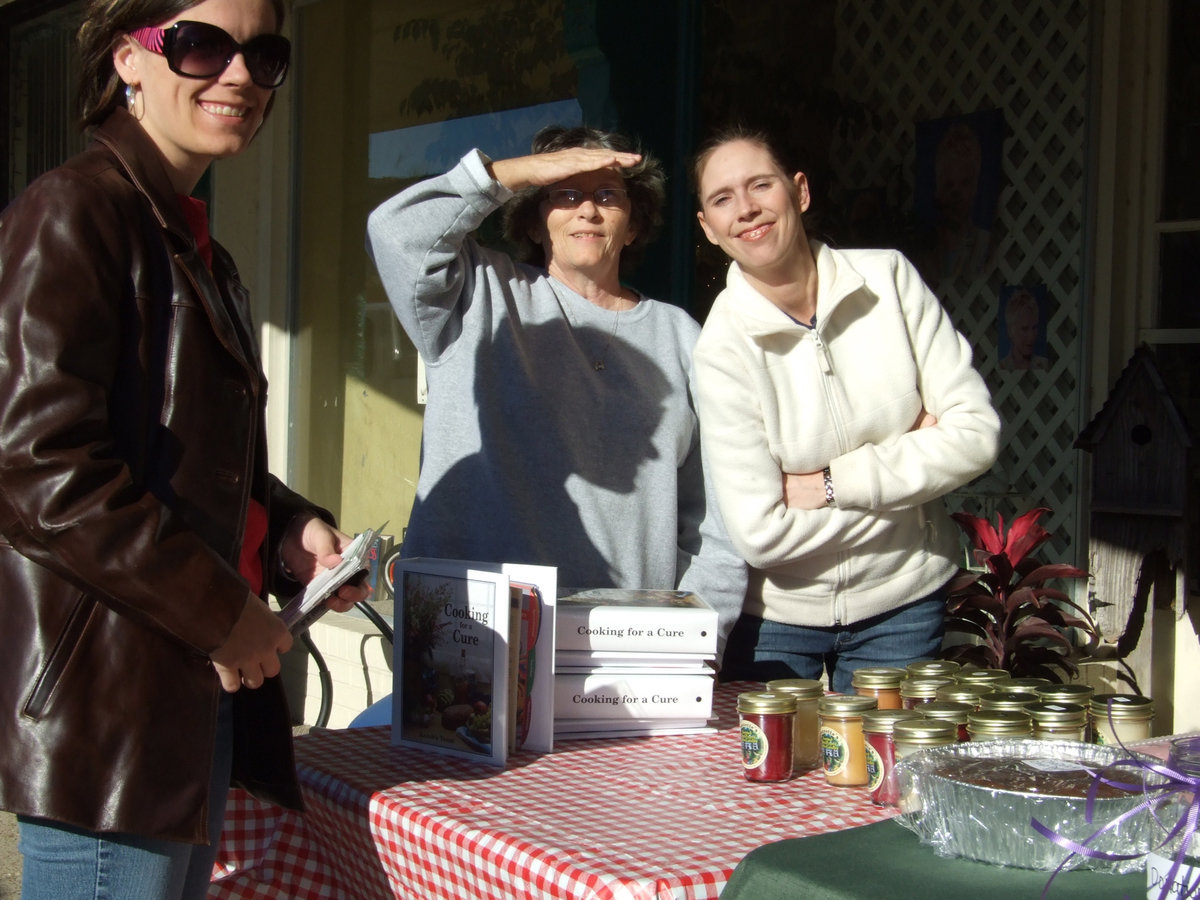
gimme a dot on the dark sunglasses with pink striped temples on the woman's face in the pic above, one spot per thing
(199, 50)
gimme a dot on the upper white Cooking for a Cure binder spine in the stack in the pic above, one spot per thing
(621, 628)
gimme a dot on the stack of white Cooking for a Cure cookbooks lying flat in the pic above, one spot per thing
(633, 662)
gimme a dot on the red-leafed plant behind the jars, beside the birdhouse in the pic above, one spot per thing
(1016, 621)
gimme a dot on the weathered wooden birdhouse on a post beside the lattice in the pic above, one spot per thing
(1141, 494)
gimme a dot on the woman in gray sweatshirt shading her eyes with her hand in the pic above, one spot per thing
(561, 428)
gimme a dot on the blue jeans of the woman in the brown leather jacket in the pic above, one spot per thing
(65, 863)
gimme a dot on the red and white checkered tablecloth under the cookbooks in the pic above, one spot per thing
(650, 819)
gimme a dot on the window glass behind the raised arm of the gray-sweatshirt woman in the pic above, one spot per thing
(392, 92)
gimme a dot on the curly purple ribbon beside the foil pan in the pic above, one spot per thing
(1174, 783)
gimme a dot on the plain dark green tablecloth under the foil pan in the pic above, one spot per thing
(887, 861)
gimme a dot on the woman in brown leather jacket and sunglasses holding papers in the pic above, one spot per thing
(140, 529)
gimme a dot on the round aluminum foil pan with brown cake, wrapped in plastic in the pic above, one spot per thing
(1012, 783)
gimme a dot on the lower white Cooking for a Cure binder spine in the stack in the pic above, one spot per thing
(633, 697)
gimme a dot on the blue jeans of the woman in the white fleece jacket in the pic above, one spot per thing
(761, 650)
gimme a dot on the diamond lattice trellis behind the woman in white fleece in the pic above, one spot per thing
(909, 62)
